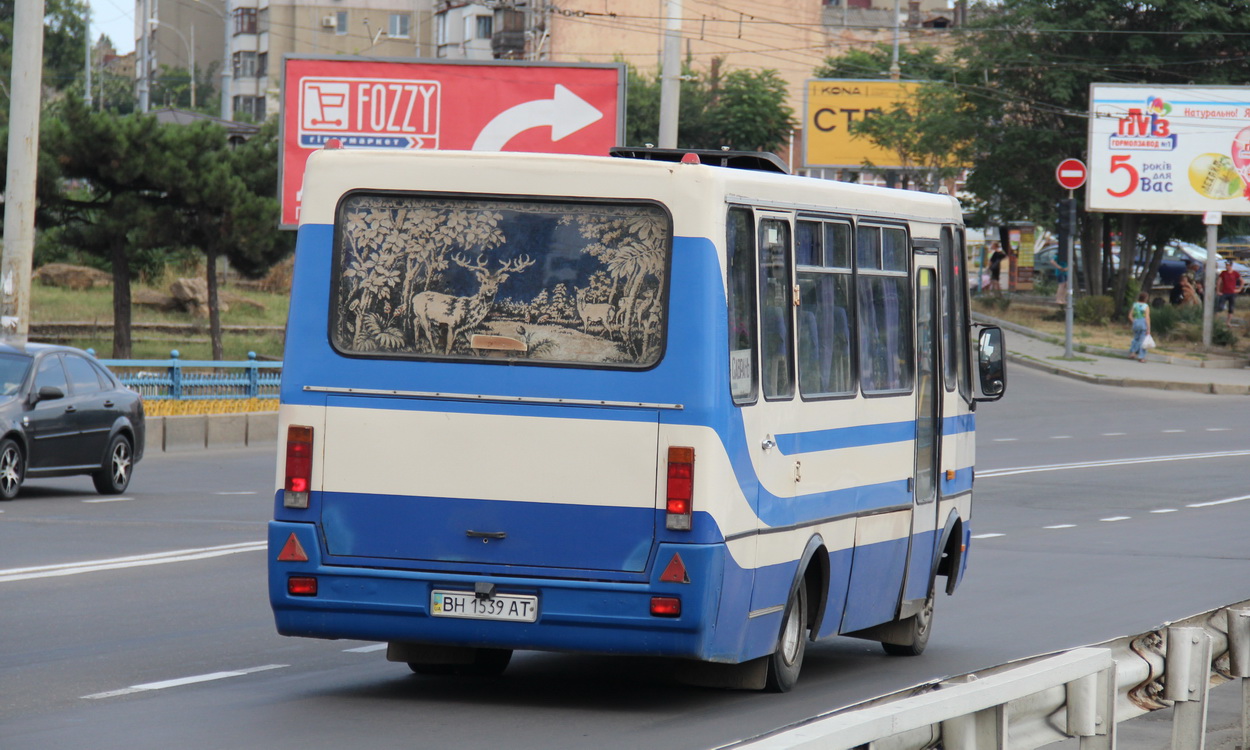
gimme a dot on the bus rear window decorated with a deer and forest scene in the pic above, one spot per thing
(502, 279)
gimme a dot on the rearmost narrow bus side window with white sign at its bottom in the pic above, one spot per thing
(741, 279)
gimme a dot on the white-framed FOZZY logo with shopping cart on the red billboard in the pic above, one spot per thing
(369, 113)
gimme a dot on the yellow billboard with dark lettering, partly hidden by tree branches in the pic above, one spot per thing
(833, 106)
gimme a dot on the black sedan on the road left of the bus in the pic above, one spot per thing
(62, 413)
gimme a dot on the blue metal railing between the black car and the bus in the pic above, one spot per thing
(177, 378)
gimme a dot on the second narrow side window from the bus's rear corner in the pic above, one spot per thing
(777, 306)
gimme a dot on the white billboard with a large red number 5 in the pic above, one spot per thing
(1169, 149)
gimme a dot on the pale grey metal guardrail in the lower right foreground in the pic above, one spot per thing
(1047, 699)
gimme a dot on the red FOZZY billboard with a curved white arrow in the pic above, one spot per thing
(486, 107)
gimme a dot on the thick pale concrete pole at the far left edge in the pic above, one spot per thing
(19, 201)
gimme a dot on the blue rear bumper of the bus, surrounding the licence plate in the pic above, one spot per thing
(582, 616)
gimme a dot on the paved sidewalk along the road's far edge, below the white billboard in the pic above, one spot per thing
(1106, 367)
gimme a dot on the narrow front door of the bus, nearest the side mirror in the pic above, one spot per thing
(924, 518)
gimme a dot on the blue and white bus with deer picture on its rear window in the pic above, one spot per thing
(657, 404)
